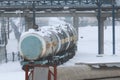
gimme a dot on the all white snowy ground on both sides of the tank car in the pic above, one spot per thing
(87, 52)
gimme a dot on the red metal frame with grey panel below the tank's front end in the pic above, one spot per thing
(32, 74)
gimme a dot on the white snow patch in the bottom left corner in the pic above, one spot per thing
(11, 71)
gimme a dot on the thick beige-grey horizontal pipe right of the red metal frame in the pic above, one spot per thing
(85, 72)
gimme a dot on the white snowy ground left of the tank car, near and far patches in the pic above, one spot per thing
(11, 70)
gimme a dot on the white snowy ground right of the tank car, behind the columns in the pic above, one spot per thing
(88, 47)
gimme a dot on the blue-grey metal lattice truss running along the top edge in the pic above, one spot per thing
(55, 5)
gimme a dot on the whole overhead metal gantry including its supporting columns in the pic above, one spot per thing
(29, 9)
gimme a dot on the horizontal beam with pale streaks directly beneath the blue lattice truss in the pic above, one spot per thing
(57, 14)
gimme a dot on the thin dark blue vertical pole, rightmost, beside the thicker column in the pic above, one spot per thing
(113, 26)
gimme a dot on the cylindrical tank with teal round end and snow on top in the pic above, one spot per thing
(46, 41)
